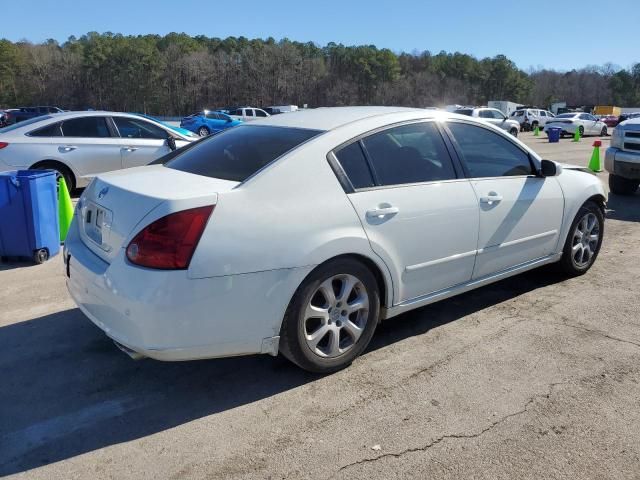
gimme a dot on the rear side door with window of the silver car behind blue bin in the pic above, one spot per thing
(88, 145)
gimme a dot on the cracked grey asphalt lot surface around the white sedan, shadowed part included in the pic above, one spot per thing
(534, 377)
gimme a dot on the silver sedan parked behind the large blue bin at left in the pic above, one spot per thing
(79, 145)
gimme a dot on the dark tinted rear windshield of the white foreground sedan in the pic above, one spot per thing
(239, 152)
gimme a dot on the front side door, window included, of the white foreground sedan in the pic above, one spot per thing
(520, 213)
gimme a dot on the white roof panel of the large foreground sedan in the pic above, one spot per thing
(329, 118)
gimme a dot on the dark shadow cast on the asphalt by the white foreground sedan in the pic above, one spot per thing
(67, 390)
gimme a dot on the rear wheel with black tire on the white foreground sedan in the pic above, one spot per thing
(331, 317)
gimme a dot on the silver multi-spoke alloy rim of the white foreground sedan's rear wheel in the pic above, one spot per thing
(336, 316)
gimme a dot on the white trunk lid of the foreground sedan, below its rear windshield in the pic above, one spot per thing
(113, 206)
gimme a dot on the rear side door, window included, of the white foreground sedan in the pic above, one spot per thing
(420, 216)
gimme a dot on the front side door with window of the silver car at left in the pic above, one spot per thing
(141, 142)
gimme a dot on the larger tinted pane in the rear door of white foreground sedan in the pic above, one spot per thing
(409, 154)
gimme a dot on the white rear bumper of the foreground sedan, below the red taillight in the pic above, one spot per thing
(167, 316)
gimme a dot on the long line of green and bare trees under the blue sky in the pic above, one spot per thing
(177, 74)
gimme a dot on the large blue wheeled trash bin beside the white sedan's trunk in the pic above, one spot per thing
(29, 214)
